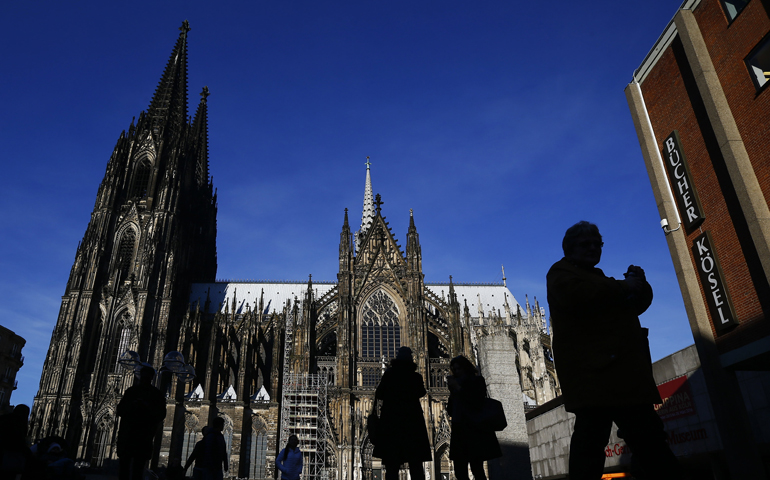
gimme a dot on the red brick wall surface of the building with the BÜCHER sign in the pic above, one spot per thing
(674, 103)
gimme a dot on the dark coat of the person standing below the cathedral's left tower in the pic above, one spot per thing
(140, 410)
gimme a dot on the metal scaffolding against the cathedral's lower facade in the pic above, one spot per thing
(303, 413)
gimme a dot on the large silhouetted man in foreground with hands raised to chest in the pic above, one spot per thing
(602, 357)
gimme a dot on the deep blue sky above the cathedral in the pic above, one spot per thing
(500, 123)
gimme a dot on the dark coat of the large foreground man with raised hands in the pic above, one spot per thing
(600, 349)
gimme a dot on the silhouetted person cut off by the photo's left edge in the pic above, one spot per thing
(14, 451)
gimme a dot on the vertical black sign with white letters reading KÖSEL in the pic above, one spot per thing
(717, 298)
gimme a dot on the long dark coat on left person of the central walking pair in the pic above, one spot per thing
(402, 434)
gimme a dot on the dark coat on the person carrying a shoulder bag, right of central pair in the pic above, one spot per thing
(468, 442)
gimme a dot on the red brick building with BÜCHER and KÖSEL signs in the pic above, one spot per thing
(699, 102)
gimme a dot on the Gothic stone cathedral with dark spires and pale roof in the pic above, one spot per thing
(271, 358)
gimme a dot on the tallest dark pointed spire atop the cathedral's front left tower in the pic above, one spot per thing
(168, 108)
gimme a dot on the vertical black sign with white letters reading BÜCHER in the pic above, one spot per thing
(681, 180)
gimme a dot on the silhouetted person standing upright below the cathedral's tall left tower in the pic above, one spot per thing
(140, 410)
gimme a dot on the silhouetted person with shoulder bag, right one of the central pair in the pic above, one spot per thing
(468, 444)
